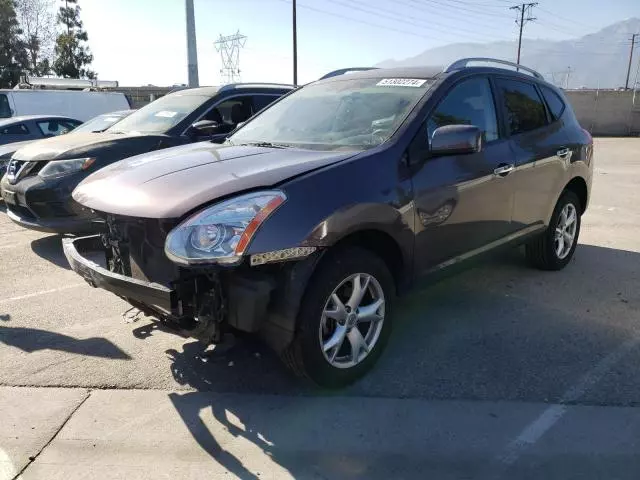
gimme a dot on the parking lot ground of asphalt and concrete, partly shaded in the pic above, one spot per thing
(498, 372)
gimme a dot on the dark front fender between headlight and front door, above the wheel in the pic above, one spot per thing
(326, 206)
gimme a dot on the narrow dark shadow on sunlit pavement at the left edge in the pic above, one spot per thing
(31, 339)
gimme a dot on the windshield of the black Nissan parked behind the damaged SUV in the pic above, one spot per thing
(160, 115)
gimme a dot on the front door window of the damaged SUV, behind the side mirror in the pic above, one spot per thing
(469, 103)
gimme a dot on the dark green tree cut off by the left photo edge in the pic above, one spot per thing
(14, 60)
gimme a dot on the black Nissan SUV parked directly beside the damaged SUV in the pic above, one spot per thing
(40, 177)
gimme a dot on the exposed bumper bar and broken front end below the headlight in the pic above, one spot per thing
(204, 302)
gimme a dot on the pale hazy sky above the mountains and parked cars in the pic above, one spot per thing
(138, 42)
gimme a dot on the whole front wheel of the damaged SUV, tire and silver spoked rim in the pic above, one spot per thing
(344, 321)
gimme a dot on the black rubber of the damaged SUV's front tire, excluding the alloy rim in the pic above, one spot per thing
(304, 356)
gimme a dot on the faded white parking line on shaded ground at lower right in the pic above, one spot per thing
(536, 429)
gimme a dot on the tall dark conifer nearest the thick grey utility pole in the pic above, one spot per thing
(72, 53)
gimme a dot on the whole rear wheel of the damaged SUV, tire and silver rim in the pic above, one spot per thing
(549, 251)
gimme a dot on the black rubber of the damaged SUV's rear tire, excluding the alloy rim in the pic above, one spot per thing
(540, 251)
